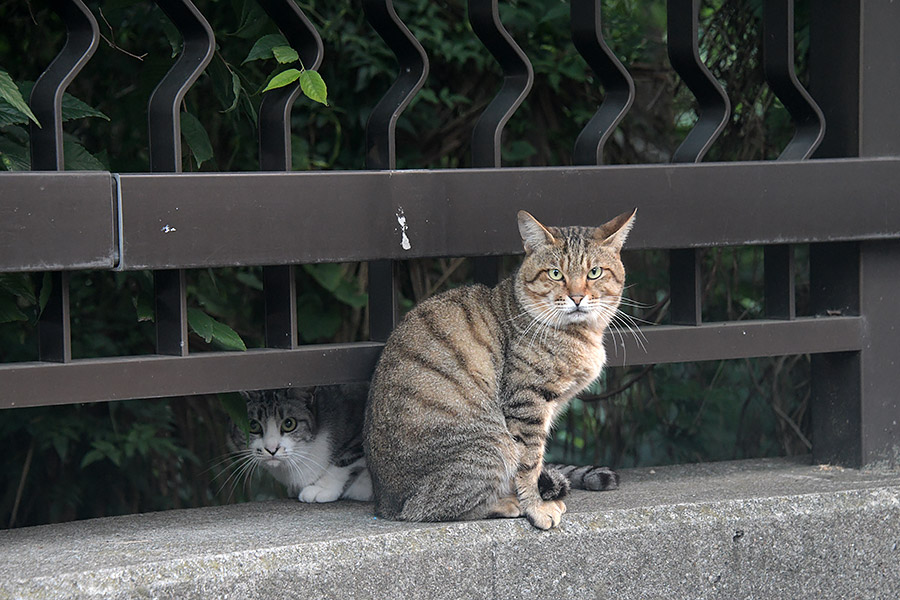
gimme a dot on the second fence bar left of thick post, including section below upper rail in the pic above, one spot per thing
(714, 108)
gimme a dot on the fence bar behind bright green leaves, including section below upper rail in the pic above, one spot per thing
(279, 282)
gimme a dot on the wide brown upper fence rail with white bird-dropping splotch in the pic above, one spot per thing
(69, 220)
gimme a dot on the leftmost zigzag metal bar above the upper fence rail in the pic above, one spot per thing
(46, 95)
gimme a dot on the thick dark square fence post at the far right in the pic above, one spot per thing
(855, 76)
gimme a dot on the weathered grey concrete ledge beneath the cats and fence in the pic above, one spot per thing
(751, 529)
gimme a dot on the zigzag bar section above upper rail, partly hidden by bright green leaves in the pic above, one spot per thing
(275, 109)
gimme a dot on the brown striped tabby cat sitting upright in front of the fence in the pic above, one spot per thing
(468, 386)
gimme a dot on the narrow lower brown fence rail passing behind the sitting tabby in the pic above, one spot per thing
(120, 378)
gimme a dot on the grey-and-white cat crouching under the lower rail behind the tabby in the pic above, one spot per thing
(308, 439)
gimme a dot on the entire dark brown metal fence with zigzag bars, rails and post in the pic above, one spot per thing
(843, 203)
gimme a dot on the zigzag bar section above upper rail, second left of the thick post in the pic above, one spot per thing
(684, 54)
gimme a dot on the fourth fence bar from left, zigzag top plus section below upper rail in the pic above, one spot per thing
(381, 145)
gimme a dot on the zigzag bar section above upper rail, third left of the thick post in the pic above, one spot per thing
(617, 82)
